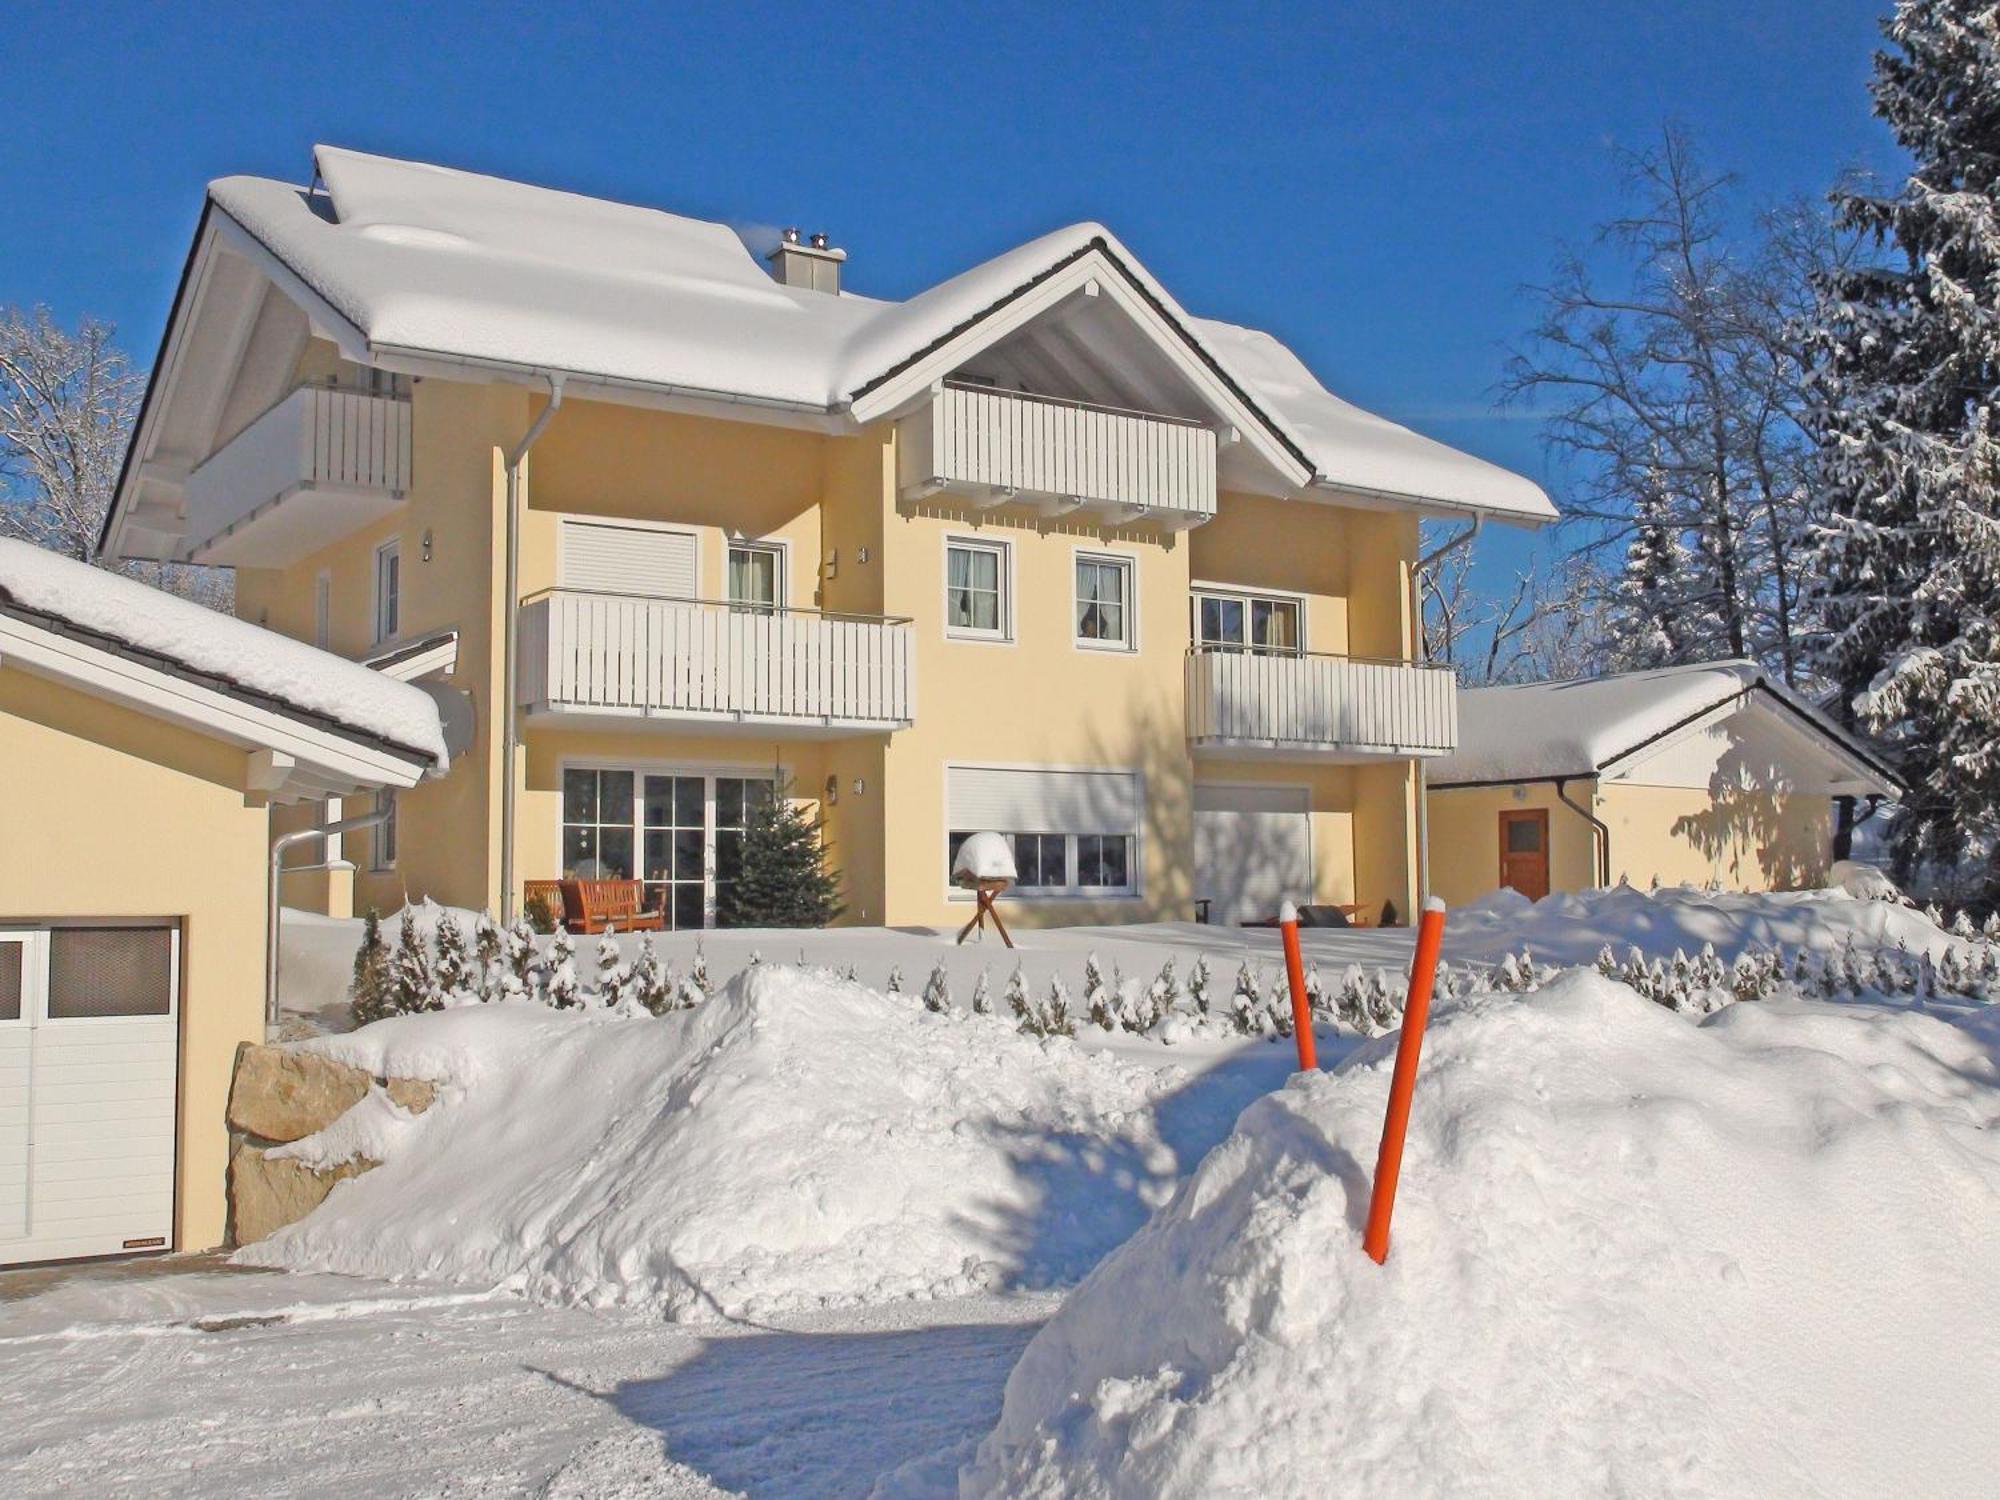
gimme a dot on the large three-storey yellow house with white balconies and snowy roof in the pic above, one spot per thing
(1035, 551)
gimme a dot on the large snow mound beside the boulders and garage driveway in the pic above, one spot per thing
(793, 1143)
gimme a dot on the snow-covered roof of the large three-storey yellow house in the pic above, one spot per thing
(437, 263)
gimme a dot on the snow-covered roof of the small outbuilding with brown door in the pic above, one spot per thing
(1539, 731)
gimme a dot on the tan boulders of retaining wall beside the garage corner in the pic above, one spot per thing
(277, 1097)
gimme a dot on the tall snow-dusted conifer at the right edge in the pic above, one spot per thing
(1907, 383)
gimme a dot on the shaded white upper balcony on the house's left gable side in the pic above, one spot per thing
(307, 473)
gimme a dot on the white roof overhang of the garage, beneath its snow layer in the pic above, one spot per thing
(289, 757)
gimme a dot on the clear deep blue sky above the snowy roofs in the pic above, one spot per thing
(1373, 183)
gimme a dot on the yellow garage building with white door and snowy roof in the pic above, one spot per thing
(147, 743)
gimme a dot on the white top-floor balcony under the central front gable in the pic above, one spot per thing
(1001, 445)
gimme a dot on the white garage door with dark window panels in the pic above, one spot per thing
(89, 1063)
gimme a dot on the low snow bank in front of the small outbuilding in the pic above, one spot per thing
(1571, 929)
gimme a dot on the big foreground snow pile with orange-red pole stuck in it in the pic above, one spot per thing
(1631, 1257)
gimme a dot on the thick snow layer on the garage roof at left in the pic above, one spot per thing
(291, 675)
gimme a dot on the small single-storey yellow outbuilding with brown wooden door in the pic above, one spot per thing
(1707, 775)
